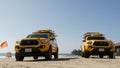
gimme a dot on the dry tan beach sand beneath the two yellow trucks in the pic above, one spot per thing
(63, 62)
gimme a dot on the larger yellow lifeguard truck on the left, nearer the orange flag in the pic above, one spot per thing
(39, 43)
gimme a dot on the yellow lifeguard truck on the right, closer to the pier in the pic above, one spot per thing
(94, 43)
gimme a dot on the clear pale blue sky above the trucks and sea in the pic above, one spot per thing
(70, 19)
